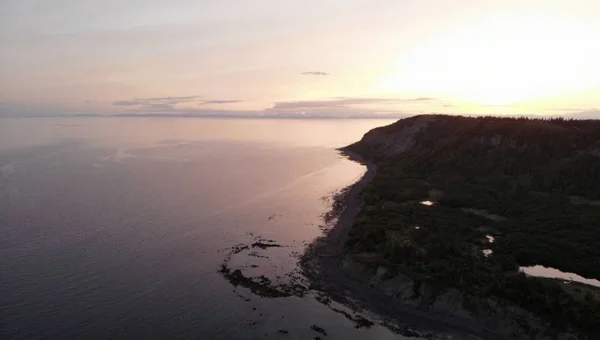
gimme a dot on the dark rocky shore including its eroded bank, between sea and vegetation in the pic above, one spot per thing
(413, 308)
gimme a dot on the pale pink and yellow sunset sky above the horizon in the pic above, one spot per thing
(334, 58)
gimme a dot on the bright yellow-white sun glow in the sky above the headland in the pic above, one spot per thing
(503, 61)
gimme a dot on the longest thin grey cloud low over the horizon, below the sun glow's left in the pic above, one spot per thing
(344, 102)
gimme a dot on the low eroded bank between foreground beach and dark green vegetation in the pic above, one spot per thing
(499, 317)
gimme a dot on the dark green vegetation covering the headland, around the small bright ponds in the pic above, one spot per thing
(534, 185)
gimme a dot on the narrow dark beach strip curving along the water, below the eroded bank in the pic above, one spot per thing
(323, 265)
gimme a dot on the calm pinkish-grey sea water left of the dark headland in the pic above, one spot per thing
(116, 227)
